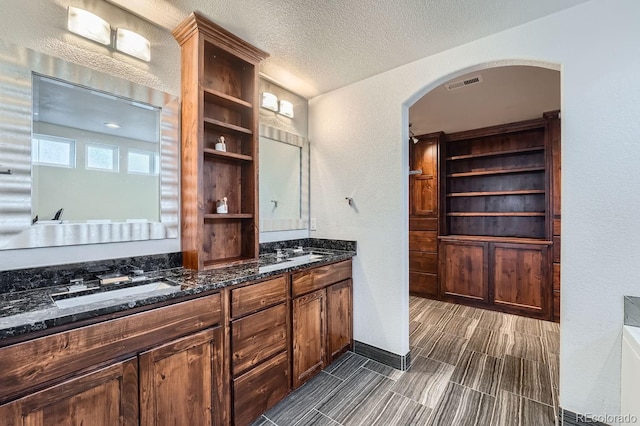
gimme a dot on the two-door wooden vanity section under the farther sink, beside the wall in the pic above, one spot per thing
(322, 309)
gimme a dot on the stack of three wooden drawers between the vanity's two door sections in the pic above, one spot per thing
(260, 361)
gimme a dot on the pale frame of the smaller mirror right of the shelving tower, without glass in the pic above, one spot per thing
(287, 224)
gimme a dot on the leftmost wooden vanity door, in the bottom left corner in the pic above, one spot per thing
(106, 397)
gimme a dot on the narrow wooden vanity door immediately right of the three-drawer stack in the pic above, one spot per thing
(309, 338)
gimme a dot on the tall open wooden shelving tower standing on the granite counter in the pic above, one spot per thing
(219, 98)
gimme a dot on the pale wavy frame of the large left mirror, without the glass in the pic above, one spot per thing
(16, 231)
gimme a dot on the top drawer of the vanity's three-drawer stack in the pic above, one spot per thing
(251, 298)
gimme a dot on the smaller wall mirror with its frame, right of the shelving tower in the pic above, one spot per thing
(284, 180)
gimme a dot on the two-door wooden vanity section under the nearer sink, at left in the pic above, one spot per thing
(78, 376)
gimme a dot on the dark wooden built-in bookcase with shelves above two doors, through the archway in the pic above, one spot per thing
(499, 187)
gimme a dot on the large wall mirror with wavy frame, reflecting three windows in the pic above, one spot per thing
(85, 157)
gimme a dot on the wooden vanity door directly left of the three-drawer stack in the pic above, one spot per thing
(178, 381)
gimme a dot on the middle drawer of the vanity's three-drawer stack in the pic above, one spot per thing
(257, 337)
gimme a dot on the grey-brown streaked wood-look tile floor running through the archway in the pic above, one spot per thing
(469, 367)
